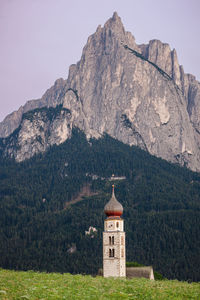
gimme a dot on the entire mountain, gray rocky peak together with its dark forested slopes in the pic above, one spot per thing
(58, 153)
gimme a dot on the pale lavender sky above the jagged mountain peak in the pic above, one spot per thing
(40, 39)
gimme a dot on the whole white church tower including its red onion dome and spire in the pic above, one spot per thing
(114, 254)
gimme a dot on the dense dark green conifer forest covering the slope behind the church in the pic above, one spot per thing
(41, 228)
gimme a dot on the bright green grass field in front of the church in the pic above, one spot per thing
(35, 285)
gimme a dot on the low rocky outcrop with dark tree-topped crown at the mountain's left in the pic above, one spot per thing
(38, 130)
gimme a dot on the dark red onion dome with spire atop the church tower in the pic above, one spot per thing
(113, 208)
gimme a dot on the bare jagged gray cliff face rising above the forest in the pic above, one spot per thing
(137, 94)
